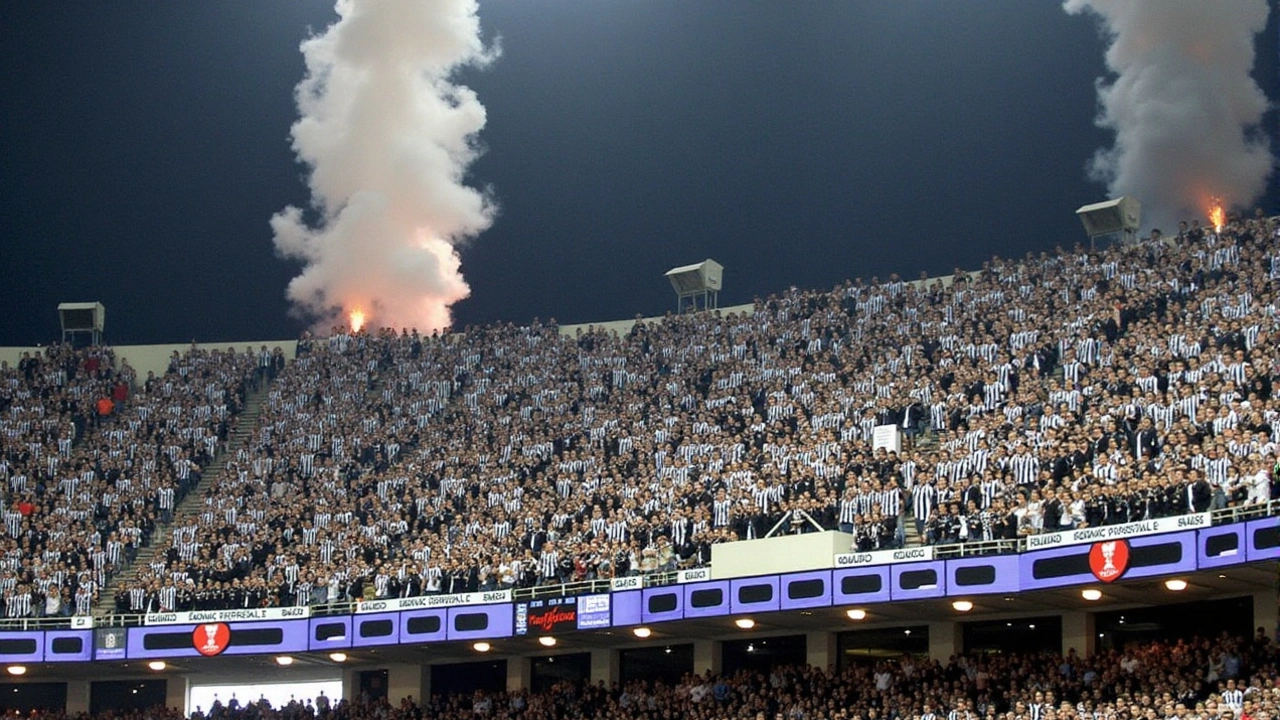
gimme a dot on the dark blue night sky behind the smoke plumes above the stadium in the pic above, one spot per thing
(144, 147)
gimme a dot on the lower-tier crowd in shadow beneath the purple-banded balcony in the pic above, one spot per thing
(1197, 680)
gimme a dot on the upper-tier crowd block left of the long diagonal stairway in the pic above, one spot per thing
(92, 459)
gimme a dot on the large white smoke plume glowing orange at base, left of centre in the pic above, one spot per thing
(388, 138)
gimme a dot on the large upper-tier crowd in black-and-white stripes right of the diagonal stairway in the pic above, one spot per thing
(1064, 390)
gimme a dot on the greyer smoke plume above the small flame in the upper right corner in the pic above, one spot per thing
(1183, 106)
